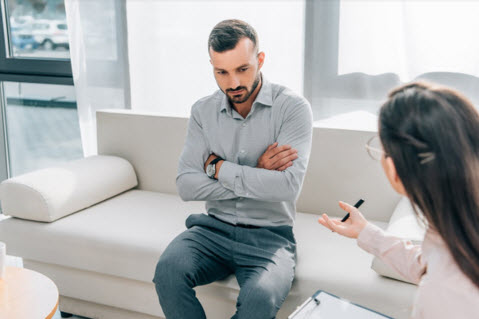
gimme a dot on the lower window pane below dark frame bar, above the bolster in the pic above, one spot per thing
(42, 125)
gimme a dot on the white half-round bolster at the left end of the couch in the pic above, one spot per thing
(52, 193)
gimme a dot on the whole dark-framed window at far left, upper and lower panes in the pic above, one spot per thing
(39, 124)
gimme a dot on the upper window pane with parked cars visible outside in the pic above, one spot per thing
(38, 29)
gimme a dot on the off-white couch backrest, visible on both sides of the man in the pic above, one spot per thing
(339, 167)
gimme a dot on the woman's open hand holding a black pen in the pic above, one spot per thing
(351, 227)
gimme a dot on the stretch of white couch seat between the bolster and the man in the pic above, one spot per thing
(123, 236)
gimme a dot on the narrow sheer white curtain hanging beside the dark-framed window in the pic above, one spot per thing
(99, 58)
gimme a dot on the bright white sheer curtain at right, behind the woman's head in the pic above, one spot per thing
(374, 46)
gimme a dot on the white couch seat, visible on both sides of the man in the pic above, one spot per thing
(124, 236)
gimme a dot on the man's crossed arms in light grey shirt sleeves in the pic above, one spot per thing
(275, 178)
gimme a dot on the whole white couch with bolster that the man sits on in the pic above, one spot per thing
(102, 258)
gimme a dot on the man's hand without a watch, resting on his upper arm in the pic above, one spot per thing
(277, 157)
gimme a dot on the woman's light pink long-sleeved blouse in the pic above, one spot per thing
(443, 290)
